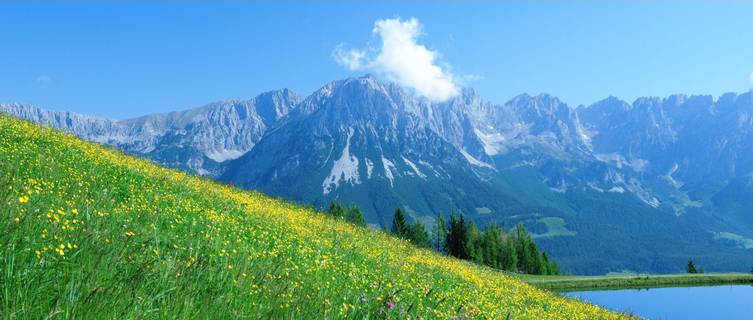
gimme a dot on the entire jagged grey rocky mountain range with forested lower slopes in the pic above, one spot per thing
(610, 187)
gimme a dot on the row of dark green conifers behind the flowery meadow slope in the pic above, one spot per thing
(510, 250)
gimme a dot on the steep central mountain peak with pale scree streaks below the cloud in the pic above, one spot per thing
(356, 141)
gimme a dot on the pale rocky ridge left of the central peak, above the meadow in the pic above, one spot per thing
(194, 140)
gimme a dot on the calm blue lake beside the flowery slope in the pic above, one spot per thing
(709, 302)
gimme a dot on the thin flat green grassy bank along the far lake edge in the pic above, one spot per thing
(573, 283)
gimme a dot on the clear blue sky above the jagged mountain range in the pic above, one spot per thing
(124, 59)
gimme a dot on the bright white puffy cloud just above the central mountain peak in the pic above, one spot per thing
(401, 59)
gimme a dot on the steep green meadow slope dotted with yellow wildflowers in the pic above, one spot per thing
(89, 233)
